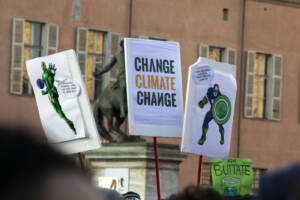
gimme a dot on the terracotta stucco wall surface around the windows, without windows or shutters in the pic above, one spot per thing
(269, 27)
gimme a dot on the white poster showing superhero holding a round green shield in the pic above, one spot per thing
(209, 112)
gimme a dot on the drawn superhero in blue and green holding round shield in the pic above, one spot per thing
(220, 111)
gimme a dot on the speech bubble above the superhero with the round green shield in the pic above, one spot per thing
(203, 75)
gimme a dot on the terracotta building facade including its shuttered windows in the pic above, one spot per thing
(260, 37)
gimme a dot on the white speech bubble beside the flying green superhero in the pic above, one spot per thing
(68, 88)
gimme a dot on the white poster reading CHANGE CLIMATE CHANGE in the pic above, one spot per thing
(154, 87)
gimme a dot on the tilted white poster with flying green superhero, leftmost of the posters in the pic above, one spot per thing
(62, 101)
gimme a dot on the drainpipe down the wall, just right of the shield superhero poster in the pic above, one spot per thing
(241, 100)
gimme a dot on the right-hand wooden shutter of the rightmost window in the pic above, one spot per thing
(274, 88)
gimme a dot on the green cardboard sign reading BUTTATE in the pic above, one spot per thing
(233, 176)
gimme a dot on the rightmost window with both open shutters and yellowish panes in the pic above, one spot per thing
(263, 86)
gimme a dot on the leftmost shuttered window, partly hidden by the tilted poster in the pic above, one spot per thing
(29, 40)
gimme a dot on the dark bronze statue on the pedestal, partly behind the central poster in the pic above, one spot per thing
(112, 103)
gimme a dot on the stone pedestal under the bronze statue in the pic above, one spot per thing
(139, 159)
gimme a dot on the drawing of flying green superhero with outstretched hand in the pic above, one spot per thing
(48, 81)
